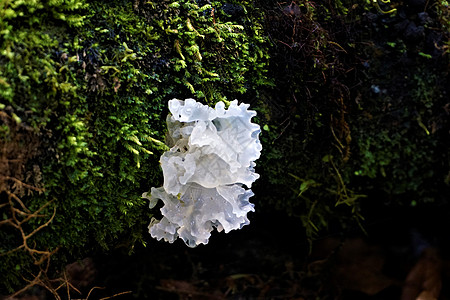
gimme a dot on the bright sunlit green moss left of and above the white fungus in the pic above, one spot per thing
(92, 78)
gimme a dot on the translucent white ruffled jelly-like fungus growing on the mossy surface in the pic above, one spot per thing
(210, 161)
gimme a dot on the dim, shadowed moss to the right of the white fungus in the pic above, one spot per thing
(355, 117)
